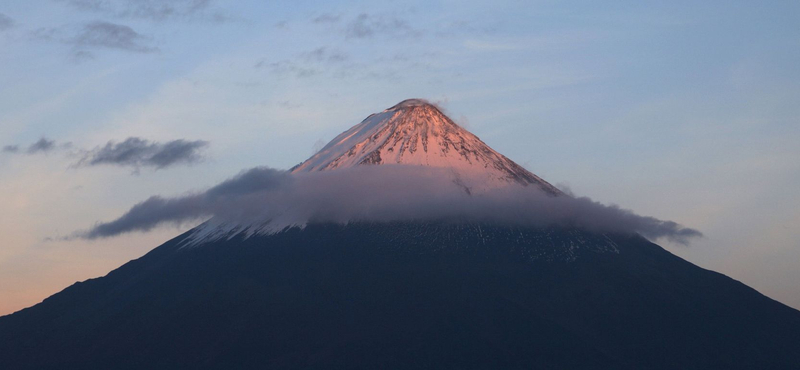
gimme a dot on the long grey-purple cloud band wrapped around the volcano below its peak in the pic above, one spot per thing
(268, 200)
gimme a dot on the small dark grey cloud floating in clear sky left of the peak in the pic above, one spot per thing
(137, 152)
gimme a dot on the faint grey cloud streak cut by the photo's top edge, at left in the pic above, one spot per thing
(152, 10)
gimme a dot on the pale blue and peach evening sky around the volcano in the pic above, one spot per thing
(680, 110)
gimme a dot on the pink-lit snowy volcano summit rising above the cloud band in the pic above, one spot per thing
(415, 132)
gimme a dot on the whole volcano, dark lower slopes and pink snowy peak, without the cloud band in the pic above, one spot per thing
(407, 293)
